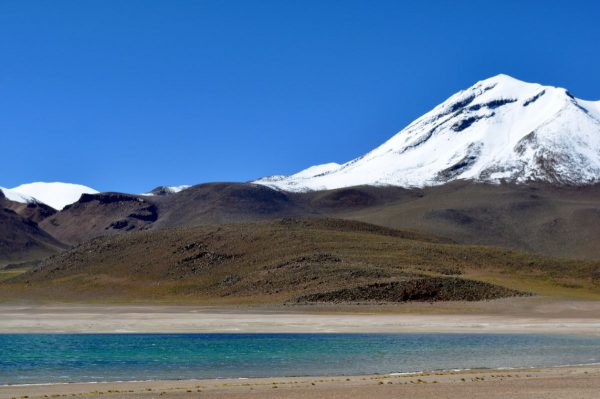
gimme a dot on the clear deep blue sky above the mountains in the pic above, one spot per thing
(128, 95)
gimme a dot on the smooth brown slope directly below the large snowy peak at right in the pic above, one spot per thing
(551, 220)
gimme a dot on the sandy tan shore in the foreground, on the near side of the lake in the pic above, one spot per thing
(550, 383)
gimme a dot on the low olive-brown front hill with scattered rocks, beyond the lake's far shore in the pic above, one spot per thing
(290, 261)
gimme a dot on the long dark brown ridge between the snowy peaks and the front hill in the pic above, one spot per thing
(545, 219)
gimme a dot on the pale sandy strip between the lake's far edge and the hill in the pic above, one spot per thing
(498, 317)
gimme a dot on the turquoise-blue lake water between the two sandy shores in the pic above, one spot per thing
(40, 358)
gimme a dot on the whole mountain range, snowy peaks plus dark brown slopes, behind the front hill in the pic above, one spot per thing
(541, 213)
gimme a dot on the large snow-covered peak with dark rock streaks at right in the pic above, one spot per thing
(498, 129)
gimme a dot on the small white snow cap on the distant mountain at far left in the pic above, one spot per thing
(56, 195)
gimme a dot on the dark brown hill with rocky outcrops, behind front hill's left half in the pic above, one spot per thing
(96, 215)
